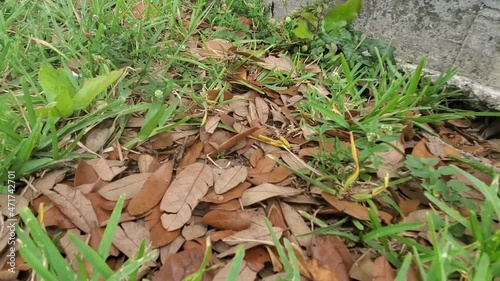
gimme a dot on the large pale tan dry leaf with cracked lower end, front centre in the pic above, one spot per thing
(188, 187)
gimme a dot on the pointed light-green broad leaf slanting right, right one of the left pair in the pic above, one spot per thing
(92, 87)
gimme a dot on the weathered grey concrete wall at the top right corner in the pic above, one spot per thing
(463, 33)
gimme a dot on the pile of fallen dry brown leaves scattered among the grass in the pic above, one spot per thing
(220, 179)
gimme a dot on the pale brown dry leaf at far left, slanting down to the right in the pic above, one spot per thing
(74, 205)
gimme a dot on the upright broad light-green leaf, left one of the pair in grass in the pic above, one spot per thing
(55, 83)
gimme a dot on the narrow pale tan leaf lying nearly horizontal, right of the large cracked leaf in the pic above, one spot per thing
(265, 191)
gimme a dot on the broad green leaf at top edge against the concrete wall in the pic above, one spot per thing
(341, 15)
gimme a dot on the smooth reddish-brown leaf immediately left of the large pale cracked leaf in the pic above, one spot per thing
(152, 191)
